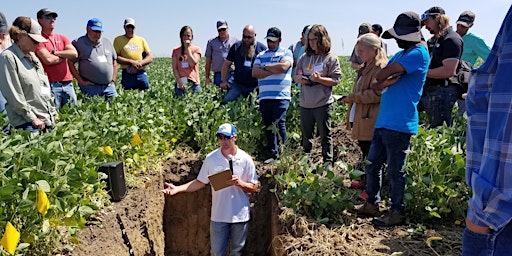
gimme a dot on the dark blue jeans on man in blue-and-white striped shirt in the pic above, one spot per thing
(274, 111)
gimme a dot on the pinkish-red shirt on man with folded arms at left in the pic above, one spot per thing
(59, 71)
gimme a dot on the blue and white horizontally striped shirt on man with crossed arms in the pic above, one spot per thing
(275, 86)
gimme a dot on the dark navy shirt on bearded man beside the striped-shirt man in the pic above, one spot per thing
(243, 73)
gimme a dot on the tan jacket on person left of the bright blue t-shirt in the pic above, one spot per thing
(366, 102)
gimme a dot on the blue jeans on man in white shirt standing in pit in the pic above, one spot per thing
(221, 233)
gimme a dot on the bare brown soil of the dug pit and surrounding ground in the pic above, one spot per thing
(179, 225)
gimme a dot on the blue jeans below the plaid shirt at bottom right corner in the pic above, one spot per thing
(495, 243)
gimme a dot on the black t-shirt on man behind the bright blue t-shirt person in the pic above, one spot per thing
(448, 46)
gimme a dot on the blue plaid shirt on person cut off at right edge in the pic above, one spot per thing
(489, 135)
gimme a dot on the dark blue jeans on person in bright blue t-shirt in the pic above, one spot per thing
(387, 146)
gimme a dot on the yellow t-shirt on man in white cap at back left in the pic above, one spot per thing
(131, 48)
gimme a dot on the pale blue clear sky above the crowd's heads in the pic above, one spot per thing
(160, 21)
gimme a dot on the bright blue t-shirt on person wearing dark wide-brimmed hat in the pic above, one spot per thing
(398, 105)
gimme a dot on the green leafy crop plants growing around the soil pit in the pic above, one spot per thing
(62, 164)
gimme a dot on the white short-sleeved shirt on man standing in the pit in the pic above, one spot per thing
(231, 204)
